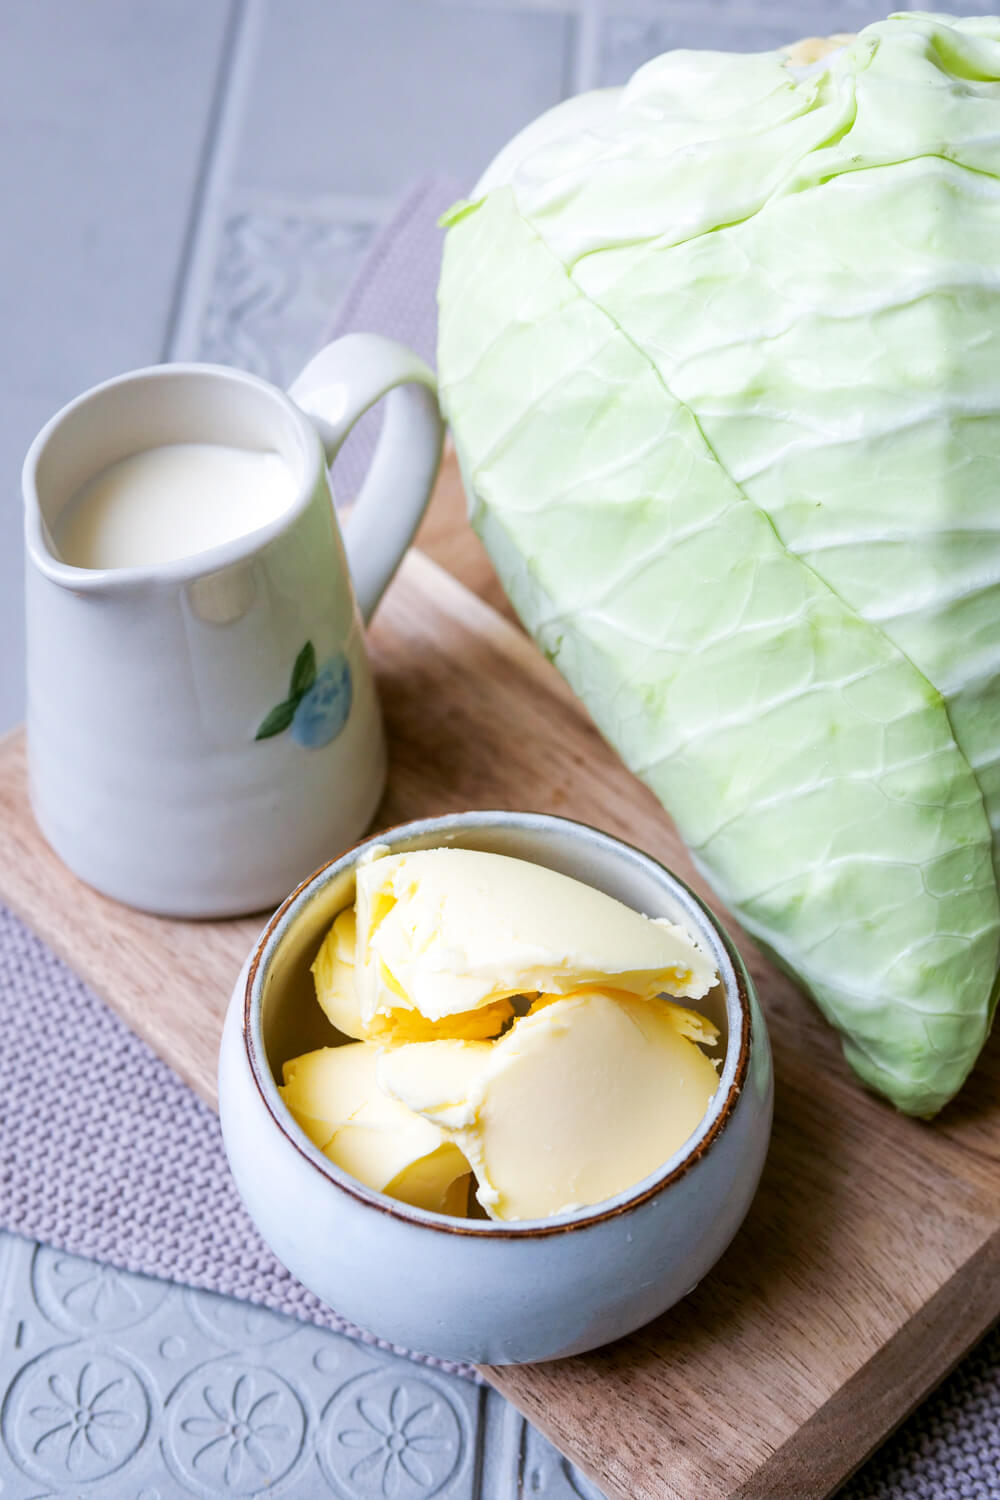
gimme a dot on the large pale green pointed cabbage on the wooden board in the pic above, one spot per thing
(722, 359)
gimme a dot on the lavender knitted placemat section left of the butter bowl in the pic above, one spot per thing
(106, 1153)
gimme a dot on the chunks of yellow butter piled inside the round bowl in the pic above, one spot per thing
(510, 1025)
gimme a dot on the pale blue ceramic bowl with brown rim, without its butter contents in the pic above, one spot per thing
(470, 1289)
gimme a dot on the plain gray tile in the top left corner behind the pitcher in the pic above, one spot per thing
(104, 116)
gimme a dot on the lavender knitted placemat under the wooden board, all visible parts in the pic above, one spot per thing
(106, 1153)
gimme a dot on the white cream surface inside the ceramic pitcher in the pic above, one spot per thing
(172, 502)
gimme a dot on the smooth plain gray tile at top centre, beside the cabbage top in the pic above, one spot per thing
(364, 98)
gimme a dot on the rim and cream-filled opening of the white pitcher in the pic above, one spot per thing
(140, 430)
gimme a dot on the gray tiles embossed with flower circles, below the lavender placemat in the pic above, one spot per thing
(124, 1387)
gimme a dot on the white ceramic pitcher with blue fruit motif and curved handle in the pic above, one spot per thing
(203, 734)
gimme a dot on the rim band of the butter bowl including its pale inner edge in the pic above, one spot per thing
(699, 1144)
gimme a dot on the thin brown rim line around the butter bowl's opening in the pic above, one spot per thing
(494, 1229)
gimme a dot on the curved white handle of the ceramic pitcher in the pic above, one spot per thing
(335, 389)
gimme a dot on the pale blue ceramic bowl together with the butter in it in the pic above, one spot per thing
(496, 1087)
